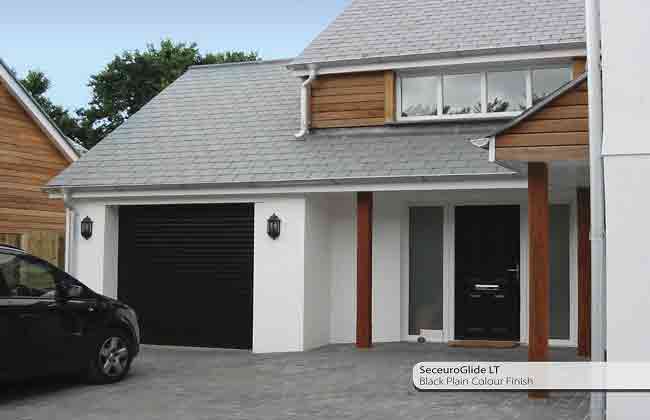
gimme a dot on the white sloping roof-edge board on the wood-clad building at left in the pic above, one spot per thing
(37, 114)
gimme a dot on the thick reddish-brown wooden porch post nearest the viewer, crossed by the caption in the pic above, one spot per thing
(538, 222)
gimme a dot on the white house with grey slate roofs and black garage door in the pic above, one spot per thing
(421, 177)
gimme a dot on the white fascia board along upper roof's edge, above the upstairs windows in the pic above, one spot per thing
(460, 59)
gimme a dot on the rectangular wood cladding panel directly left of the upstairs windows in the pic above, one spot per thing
(353, 100)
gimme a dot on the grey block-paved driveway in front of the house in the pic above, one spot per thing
(335, 382)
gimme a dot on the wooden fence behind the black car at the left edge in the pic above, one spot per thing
(47, 245)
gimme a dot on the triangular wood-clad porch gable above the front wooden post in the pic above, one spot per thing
(560, 131)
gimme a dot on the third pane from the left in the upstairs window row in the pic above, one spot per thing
(506, 91)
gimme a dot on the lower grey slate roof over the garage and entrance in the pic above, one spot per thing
(225, 124)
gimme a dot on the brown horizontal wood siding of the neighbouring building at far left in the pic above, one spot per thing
(28, 160)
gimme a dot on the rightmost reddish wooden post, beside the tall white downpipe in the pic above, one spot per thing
(584, 274)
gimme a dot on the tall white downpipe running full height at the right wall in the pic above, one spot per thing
(596, 183)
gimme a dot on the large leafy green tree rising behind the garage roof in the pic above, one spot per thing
(133, 78)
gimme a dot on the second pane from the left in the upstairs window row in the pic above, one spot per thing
(462, 94)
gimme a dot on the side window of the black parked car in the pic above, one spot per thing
(22, 276)
